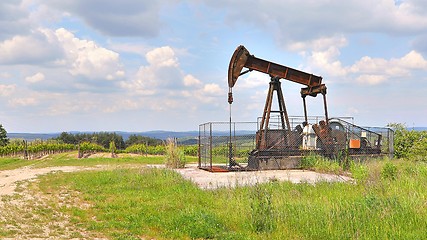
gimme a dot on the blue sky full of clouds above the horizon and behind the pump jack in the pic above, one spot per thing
(139, 65)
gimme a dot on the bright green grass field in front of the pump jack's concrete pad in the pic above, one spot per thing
(387, 201)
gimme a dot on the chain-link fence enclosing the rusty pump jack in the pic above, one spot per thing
(242, 145)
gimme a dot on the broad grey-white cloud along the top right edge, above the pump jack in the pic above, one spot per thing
(307, 20)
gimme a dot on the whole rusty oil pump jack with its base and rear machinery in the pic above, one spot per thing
(282, 146)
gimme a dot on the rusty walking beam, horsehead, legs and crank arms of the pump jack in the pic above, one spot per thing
(241, 58)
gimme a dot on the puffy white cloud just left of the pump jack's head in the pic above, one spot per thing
(163, 81)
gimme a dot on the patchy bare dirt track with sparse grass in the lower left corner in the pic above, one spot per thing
(25, 211)
